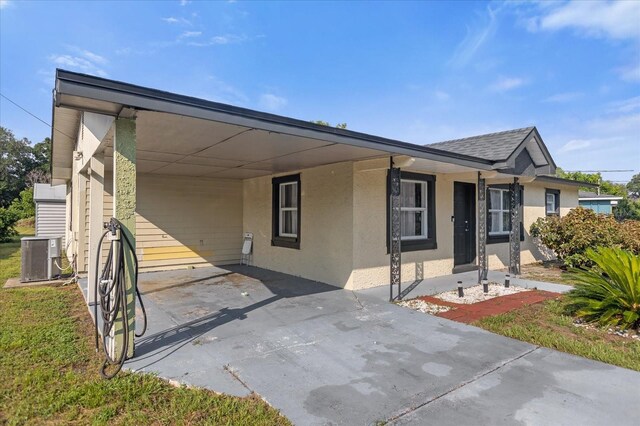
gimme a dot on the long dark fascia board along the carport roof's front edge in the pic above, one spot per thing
(85, 86)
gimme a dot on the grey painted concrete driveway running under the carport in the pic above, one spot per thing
(323, 355)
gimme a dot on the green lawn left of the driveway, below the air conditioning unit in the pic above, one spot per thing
(49, 369)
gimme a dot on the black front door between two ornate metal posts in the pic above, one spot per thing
(464, 223)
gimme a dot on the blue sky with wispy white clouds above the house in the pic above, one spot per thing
(418, 72)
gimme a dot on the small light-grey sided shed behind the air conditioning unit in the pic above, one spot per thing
(50, 209)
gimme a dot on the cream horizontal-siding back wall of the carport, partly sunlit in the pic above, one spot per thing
(184, 221)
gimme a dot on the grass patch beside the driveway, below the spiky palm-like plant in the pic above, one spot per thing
(546, 324)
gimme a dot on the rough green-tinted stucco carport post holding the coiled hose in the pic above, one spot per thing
(124, 209)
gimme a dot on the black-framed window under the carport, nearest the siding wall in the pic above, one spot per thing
(286, 211)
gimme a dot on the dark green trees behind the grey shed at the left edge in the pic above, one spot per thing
(21, 165)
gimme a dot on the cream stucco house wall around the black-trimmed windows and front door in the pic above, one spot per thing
(331, 194)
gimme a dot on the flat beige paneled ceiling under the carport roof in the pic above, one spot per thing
(171, 144)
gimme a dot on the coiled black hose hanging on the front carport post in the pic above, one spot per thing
(113, 297)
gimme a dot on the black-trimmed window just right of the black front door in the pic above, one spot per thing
(499, 214)
